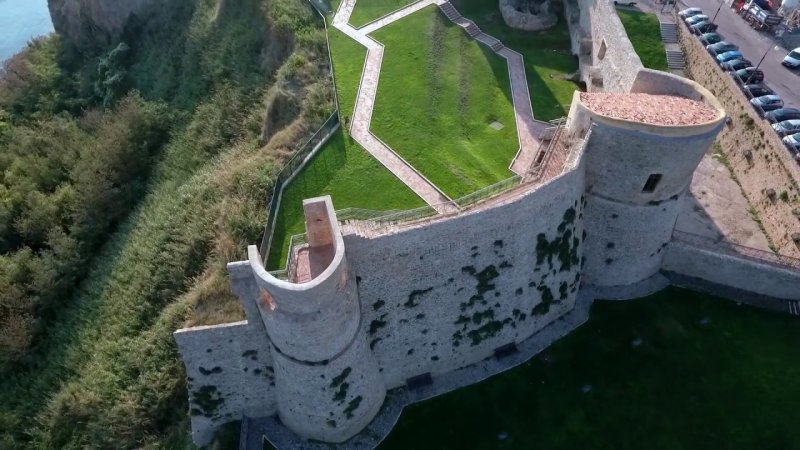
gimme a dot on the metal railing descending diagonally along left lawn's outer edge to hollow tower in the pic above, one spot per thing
(302, 155)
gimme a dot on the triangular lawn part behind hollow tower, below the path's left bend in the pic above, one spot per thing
(353, 179)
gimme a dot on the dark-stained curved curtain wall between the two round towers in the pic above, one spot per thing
(441, 296)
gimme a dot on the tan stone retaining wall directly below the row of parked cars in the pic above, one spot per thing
(751, 149)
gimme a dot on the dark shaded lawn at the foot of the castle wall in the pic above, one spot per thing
(707, 374)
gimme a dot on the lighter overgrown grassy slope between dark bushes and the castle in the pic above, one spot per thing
(107, 374)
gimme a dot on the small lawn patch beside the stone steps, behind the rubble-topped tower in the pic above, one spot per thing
(645, 35)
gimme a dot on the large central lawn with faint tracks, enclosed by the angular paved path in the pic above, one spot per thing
(437, 95)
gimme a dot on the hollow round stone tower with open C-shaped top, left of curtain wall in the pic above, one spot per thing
(327, 382)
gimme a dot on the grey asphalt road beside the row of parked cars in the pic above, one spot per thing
(753, 44)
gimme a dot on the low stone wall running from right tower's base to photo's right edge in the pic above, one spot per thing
(732, 271)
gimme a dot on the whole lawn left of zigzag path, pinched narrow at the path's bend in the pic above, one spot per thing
(342, 169)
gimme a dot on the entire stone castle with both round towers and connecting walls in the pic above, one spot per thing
(375, 317)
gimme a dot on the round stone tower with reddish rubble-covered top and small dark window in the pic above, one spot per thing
(641, 154)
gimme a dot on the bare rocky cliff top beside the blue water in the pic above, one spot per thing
(94, 22)
